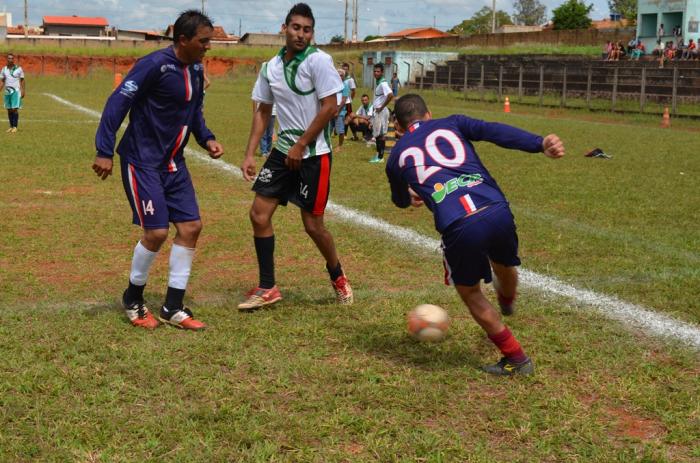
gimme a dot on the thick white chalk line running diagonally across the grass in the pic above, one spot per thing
(631, 315)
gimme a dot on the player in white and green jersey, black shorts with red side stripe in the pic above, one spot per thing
(302, 82)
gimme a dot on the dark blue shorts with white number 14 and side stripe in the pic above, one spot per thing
(158, 198)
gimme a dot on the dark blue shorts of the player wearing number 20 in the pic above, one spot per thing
(470, 243)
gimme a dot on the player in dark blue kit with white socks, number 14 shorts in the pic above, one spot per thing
(163, 94)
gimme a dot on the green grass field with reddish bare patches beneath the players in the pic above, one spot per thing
(309, 381)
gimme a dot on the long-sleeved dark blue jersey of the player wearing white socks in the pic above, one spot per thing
(164, 98)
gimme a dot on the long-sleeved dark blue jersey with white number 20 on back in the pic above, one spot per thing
(438, 161)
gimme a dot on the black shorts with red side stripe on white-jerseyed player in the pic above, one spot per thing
(307, 188)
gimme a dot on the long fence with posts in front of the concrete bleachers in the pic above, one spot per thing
(621, 87)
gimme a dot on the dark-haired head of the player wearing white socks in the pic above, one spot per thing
(192, 35)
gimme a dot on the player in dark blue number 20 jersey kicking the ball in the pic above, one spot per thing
(434, 163)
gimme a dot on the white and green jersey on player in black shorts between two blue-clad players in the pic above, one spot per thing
(296, 88)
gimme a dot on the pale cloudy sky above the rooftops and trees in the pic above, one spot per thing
(376, 17)
